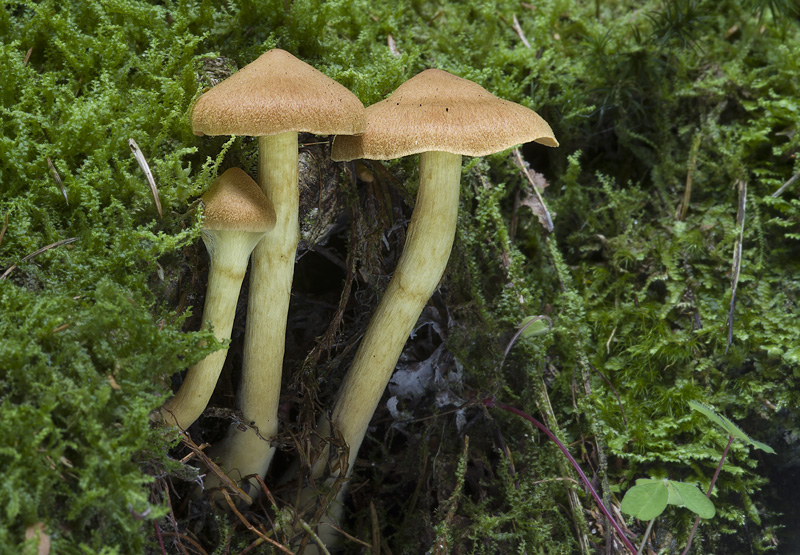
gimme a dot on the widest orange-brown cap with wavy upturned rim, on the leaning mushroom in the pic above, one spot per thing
(437, 111)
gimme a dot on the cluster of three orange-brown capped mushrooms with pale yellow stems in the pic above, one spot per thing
(436, 114)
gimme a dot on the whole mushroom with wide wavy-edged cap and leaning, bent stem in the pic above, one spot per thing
(442, 117)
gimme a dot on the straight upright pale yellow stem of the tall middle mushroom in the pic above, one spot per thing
(250, 452)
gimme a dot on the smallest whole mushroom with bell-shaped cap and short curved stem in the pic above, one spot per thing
(237, 216)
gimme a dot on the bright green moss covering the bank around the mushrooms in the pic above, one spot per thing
(638, 98)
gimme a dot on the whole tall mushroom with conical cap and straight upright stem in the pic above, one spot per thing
(272, 98)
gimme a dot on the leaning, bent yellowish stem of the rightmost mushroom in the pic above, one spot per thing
(428, 244)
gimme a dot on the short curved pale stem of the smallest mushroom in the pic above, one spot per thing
(228, 252)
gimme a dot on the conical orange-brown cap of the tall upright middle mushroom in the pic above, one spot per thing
(274, 94)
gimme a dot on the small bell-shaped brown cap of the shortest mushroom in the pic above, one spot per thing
(235, 202)
